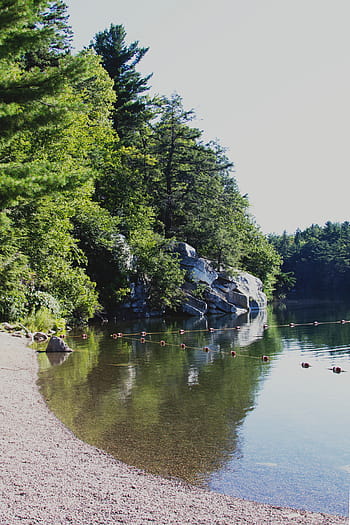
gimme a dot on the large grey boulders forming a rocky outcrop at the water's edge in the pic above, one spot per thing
(211, 292)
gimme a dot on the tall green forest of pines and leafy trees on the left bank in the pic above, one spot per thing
(98, 178)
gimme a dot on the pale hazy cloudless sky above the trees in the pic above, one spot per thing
(269, 78)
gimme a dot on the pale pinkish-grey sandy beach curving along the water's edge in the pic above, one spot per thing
(48, 476)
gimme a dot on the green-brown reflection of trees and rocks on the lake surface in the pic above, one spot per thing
(172, 411)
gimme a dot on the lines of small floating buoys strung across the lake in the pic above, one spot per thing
(142, 337)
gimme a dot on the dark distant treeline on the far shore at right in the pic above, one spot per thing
(316, 261)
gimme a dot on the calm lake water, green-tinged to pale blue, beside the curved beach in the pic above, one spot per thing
(269, 431)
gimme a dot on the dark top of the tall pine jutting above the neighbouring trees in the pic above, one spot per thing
(120, 61)
